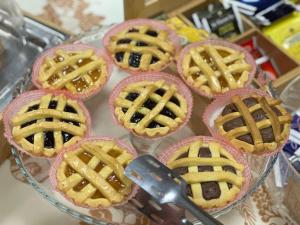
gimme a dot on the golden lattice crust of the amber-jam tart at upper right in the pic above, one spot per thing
(215, 71)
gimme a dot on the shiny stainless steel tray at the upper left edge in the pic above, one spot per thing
(20, 49)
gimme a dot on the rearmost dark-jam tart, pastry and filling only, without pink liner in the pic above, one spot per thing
(142, 47)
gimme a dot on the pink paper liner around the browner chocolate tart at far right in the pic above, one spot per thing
(215, 109)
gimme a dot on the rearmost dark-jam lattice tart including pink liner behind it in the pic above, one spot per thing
(141, 45)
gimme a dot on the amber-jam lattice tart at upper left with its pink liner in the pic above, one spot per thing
(79, 69)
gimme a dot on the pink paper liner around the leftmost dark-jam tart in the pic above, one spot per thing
(27, 97)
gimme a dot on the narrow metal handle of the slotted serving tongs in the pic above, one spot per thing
(196, 211)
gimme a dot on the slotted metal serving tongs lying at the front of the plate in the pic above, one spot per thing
(164, 186)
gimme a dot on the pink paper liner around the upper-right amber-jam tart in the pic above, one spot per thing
(248, 58)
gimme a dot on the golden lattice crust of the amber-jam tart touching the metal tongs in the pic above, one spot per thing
(94, 175)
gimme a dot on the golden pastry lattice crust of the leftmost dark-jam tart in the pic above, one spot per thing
(57, 125)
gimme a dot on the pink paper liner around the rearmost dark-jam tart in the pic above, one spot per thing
(173, 37)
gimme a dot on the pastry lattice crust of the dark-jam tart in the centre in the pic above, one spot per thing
(147, 91)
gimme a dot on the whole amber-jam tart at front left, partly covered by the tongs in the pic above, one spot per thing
(92, 174)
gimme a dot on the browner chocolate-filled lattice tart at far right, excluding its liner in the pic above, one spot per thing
(255, 124)
